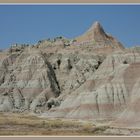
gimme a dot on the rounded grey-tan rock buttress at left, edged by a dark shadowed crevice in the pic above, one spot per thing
(29, 82)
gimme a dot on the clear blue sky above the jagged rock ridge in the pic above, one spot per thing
(30, 23)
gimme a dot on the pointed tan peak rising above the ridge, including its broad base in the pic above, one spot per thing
(100, 41)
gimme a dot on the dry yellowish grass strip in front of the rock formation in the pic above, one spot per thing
(23, 124)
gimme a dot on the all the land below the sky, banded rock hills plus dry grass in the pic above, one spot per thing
(89, 85)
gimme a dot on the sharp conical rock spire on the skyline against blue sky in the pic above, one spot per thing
(97, 34)
